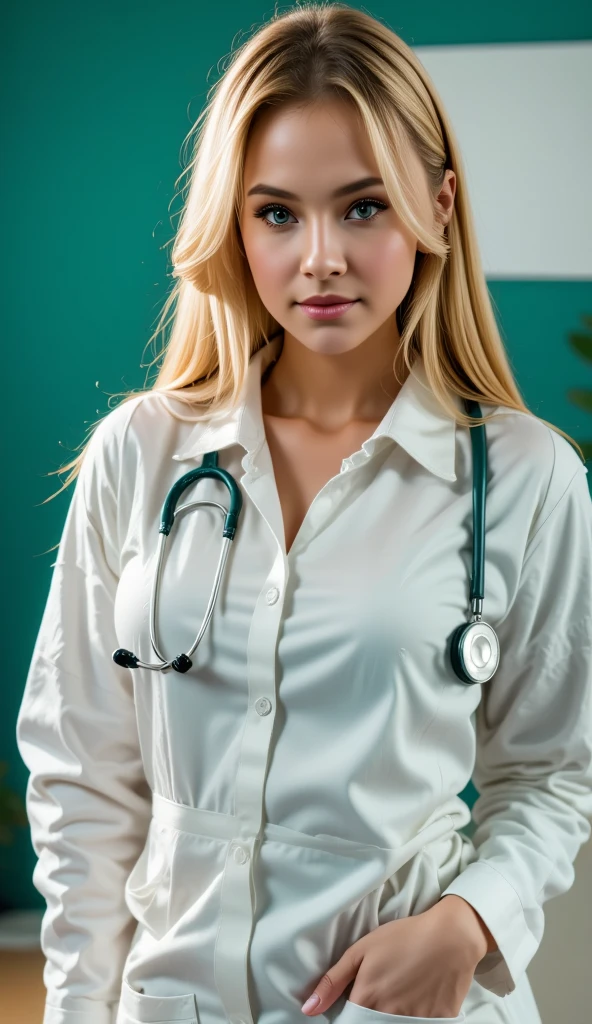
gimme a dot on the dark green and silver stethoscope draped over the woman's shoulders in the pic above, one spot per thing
(475, 650)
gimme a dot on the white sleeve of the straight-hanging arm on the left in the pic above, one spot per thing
(88, 799)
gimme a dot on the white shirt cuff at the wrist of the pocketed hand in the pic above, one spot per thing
(499, 906)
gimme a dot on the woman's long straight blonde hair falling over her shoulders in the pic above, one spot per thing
(319, 51)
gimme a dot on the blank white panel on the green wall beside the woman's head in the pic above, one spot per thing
(524, 118)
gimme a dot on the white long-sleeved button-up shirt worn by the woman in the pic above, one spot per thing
(299, 787)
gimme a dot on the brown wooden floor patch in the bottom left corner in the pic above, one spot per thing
(22, 989)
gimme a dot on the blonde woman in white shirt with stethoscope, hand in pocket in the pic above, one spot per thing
(270, 827)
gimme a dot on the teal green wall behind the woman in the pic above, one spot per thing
(97, 102)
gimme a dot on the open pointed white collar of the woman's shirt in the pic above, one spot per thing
(415, 420)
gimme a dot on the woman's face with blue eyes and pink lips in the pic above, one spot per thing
(316, 243)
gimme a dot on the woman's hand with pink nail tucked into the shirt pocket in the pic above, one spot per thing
(420, 966)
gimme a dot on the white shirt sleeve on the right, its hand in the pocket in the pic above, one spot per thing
(534, 744)
